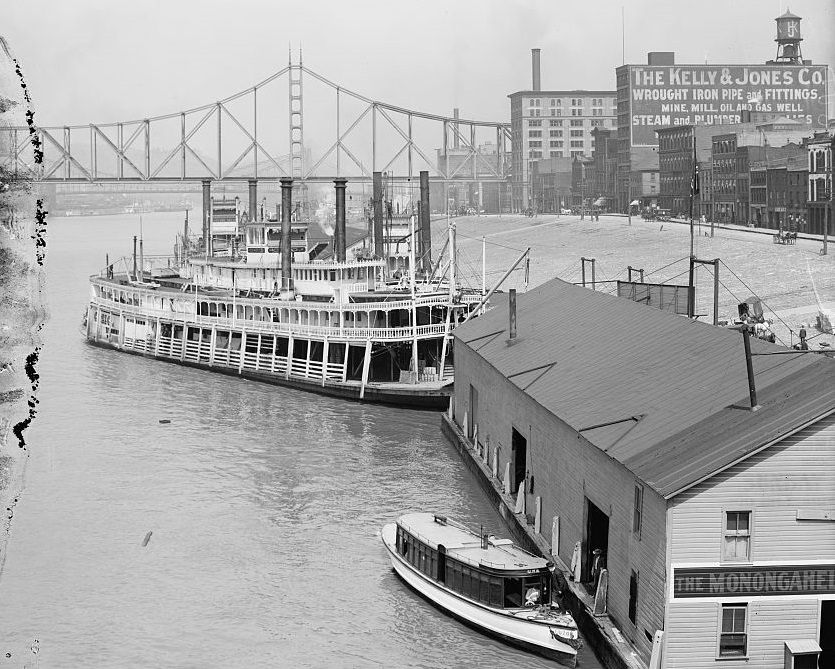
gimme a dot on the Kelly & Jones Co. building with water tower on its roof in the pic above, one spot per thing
(663, 94)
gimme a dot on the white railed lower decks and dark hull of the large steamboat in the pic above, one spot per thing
(367, 351)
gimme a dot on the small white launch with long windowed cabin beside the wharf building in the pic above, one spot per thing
(489, 584)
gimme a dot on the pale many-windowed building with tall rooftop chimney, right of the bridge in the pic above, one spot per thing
(552, 124)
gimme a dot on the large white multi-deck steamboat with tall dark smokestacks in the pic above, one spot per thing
(266, 306)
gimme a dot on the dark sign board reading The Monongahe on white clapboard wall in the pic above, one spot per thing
(753, 581)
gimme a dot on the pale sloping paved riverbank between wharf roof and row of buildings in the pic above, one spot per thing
(784, 277)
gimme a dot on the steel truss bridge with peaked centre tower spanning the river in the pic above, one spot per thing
(296, 124)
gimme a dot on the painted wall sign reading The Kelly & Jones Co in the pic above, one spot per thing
(714, 94)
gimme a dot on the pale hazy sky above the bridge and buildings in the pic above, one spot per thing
(109, 60)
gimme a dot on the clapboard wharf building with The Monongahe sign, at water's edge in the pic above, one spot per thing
(642, 448)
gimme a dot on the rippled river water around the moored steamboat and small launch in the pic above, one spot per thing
(264, 505)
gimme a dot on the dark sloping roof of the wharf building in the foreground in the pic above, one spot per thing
(664, 395)
